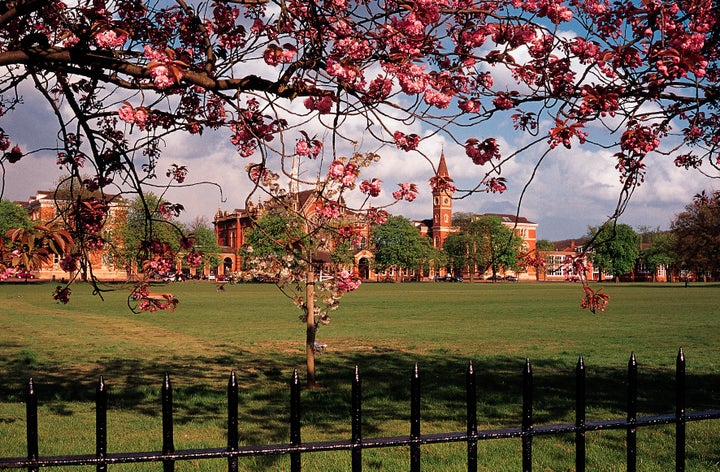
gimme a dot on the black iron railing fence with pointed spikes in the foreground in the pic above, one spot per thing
(233, 451)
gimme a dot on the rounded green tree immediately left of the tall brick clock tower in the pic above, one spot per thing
(399, 244)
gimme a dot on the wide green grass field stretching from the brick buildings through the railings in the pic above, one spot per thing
(382, 328)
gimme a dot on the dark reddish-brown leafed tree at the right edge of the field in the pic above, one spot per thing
(695, 232)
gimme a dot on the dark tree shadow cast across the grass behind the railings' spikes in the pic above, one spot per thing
(200, 392)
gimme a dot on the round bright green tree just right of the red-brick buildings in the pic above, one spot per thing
(615, 248)
